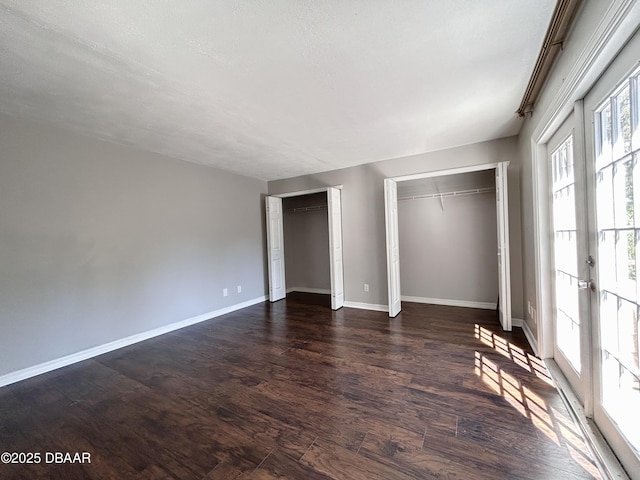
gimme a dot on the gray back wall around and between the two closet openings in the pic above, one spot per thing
(363, 211)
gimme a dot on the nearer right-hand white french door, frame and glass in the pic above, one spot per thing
(612, 117)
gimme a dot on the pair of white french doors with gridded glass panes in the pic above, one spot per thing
(594, 161)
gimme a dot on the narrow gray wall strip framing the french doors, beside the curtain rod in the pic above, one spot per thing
(587, 20)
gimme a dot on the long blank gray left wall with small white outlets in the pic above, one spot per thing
(99, 242)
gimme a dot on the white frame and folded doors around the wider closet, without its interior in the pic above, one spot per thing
(392, 235)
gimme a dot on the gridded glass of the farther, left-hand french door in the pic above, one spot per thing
(567, 315)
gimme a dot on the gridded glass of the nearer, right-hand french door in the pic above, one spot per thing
(618, 199)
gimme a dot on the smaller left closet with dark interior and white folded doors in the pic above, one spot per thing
(304, 244)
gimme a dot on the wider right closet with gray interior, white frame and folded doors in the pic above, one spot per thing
(447, 239)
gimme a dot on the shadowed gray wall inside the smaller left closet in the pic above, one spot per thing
(306, 242)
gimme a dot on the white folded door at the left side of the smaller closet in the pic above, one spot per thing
(275, 249)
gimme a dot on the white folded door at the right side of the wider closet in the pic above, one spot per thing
(504, 272)
